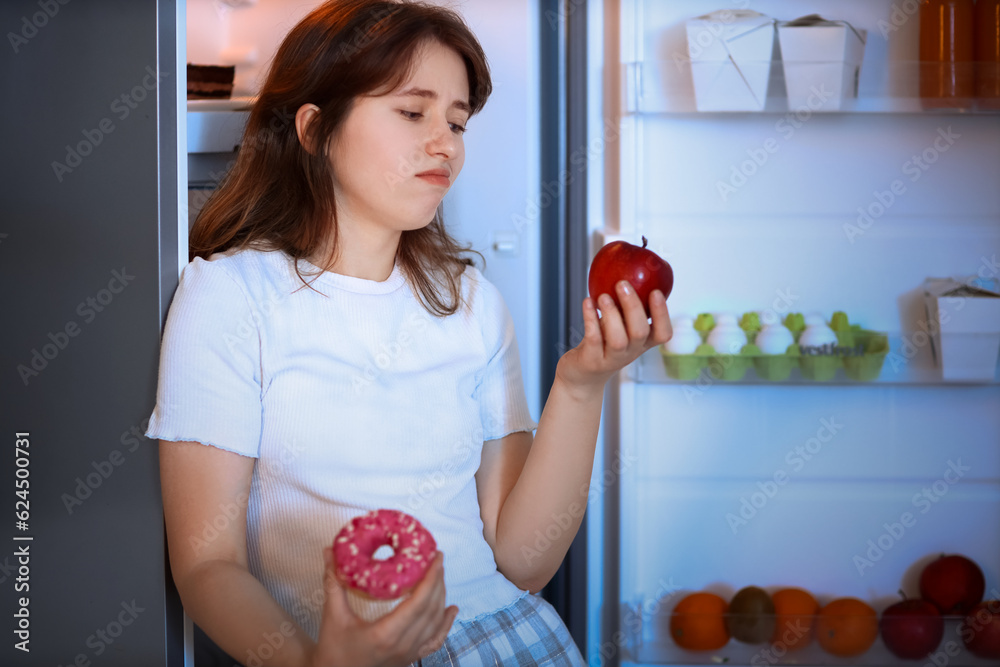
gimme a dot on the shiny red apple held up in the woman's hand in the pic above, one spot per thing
(642, 268)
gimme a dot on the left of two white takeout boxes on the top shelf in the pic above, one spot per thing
(731, 52)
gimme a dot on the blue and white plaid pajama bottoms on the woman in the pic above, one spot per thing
(524, 633)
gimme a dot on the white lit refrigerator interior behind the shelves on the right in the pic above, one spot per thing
(843, 488)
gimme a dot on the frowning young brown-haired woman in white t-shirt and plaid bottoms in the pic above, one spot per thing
(329, 352)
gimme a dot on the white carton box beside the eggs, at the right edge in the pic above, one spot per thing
(965, 329)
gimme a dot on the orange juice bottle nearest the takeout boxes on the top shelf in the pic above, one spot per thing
(947, 53)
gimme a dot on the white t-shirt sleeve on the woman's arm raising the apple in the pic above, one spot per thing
(503, 407)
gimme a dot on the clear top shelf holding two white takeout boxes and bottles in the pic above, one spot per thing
(668, 87)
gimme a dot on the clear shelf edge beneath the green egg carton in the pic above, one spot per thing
(906, 364)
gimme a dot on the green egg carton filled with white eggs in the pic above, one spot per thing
(817, 348)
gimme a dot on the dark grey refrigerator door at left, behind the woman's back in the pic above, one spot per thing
(89, 252)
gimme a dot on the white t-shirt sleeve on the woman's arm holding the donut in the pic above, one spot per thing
(209, 388)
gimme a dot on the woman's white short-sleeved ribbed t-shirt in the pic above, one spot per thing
(351, 397)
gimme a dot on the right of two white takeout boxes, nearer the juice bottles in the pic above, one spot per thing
(822, 62)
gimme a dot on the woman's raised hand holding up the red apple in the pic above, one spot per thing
(616, 338)
